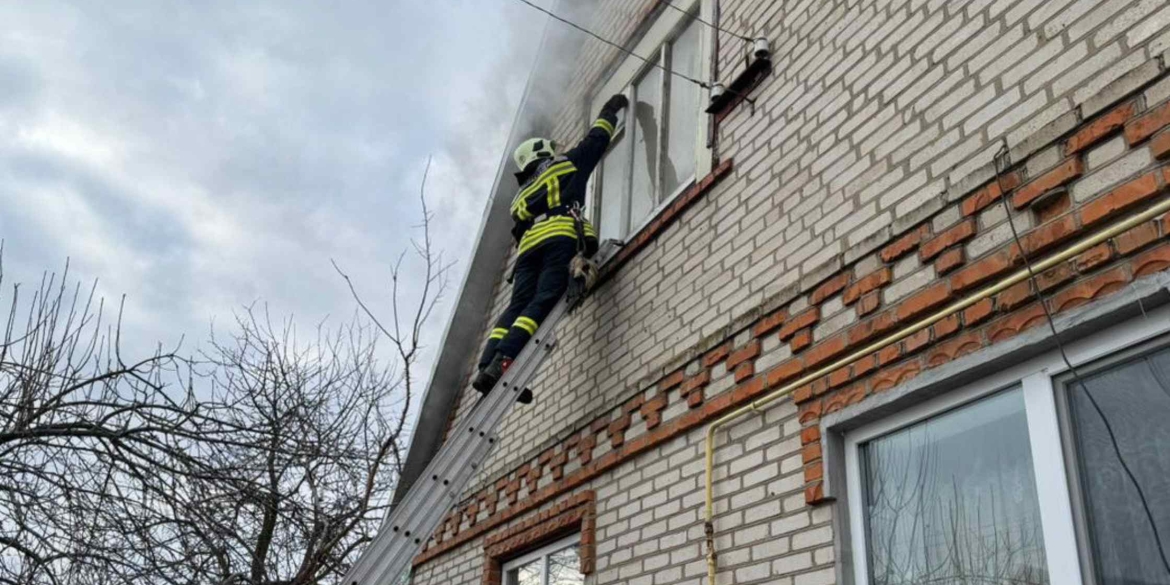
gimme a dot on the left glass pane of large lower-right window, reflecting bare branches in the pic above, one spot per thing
(953, 500)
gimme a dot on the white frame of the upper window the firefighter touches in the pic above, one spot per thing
(658, 42)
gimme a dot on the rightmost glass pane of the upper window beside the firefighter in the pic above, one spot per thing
(683, 129)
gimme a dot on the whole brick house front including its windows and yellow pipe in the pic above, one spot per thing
(835, 269)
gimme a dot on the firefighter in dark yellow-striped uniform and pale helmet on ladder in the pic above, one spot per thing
(550, 233)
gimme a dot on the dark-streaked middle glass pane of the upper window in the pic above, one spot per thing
(644, 123)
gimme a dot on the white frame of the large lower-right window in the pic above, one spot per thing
(1068, 552)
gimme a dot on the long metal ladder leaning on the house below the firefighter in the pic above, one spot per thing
(410, 525)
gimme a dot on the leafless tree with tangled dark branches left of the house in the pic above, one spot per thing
(265, 460)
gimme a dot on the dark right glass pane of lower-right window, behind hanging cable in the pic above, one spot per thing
(1135, 401)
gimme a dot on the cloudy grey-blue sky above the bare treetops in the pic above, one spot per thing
(202, 157)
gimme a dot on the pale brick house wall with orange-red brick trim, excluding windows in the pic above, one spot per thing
(861, 196)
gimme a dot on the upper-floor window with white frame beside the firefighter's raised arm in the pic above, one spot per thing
(656, 153)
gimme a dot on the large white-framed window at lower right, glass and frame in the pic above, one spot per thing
(1016, 480)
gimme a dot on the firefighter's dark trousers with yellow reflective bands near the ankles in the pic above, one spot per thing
(540, 280)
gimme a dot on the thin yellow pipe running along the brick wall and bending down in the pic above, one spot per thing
(765, 402)
